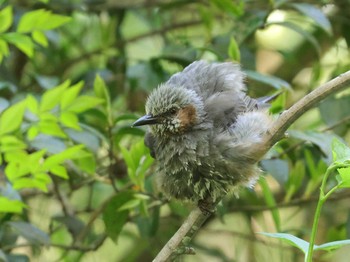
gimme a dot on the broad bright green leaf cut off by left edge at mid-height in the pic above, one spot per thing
(12, 117)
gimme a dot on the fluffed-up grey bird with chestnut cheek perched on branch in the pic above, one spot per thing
(205, 132)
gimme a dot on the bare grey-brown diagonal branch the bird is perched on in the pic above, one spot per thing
(196, 218)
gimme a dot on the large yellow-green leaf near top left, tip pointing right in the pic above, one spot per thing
(40, 20)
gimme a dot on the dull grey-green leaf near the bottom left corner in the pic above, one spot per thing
(30, 232)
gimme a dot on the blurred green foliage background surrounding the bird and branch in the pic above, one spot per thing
(106, 207)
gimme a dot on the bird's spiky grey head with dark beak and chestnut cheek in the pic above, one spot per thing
(172, 110)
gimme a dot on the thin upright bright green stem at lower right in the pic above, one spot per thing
(322, 199)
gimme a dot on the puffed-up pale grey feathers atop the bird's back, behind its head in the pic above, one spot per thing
(207, 79)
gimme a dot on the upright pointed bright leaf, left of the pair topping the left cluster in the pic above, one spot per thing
(52, 97)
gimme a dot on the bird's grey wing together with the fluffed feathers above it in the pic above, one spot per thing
(221, 87)
